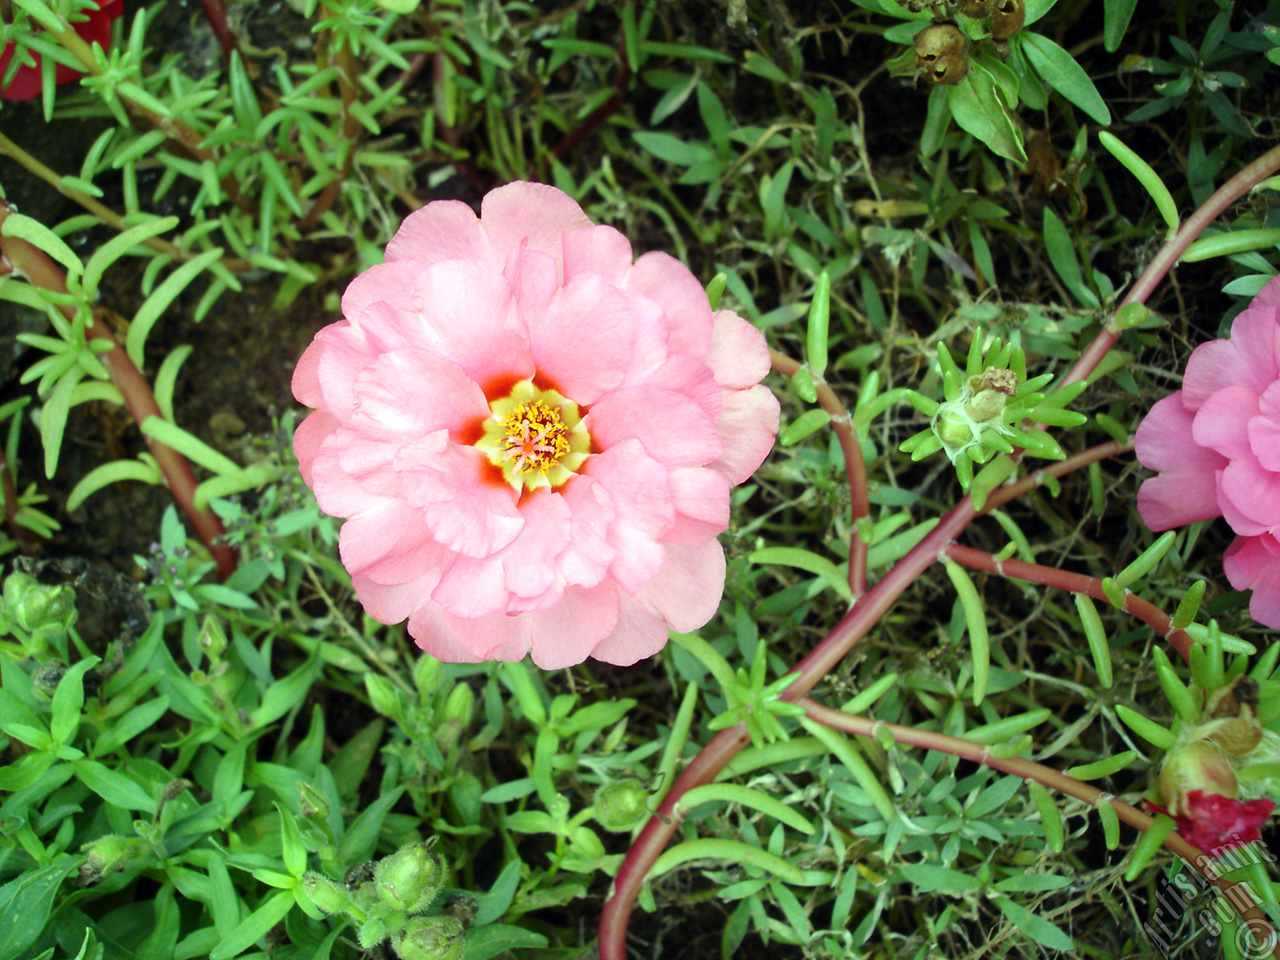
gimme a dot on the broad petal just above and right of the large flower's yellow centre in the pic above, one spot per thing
(583, 342)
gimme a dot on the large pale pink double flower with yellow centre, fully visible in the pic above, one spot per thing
(532, 437)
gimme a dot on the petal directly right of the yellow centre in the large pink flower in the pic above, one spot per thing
(673, 428)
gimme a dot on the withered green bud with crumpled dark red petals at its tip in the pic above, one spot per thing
(1200, 784)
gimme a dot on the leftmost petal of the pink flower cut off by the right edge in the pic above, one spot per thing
(1187, 488)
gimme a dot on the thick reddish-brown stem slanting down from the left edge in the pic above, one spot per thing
(40, 271)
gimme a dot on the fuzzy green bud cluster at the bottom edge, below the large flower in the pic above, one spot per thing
(387, 900)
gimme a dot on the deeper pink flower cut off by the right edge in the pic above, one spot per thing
(1217, 447)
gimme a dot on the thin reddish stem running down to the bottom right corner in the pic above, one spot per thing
(1254, 917)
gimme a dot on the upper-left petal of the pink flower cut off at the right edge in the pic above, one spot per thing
(1251, 359)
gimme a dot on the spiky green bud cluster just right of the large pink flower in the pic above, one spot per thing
(991, 408)
